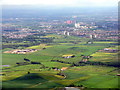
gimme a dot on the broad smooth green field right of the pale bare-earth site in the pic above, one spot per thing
(59, 50)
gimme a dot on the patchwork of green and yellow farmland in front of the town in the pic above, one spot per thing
(55, 71)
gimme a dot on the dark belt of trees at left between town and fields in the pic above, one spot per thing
(26, 41)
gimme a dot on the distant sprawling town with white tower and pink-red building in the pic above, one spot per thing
(62, 27)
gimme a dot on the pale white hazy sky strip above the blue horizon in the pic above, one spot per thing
(61, 2)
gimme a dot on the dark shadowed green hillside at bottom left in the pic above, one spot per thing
(25, 81)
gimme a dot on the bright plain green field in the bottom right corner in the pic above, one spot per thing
(105, 81)
